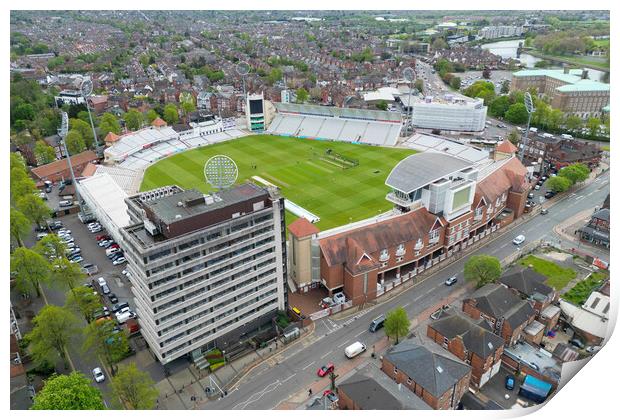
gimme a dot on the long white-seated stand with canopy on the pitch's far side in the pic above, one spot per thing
(380, 128)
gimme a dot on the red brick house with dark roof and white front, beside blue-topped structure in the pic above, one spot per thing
(471, 342)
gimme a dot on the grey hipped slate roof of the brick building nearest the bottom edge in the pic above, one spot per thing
(433, 372)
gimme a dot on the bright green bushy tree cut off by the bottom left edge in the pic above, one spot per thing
(68, 392)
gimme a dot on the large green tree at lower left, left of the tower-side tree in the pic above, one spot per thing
(54, 326)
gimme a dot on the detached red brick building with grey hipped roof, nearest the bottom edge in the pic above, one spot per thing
(438, 380)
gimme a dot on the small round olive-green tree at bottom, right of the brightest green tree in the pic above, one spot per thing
(134, 388)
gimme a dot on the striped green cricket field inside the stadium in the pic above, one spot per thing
(338, 196)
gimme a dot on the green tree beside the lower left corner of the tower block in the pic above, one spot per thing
(101, 338)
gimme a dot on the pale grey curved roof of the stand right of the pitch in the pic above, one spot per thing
(419, 170)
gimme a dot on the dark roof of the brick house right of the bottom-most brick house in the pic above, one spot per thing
(476, 338)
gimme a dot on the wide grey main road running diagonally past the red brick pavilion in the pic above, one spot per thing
(294, 370)
